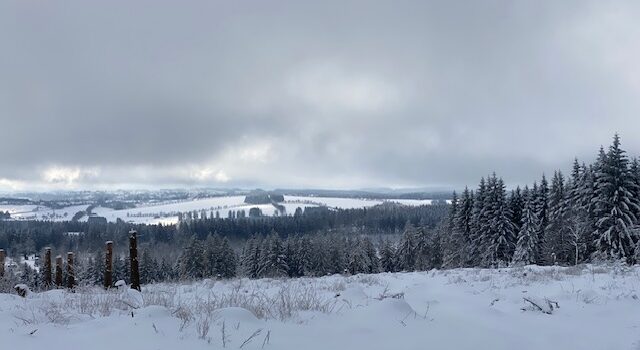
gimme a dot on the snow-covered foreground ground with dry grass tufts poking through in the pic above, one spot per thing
(585, 307)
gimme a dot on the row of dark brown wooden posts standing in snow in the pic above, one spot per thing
(70, 280)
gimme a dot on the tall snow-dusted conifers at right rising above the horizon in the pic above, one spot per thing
(591, 215)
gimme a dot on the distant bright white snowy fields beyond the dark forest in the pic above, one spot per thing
(166, 213)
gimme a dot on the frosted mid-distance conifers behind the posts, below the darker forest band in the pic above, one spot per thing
(264, 256)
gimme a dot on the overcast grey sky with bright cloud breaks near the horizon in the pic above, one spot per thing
(310, 94)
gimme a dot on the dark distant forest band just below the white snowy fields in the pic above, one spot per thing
(27, 237)
